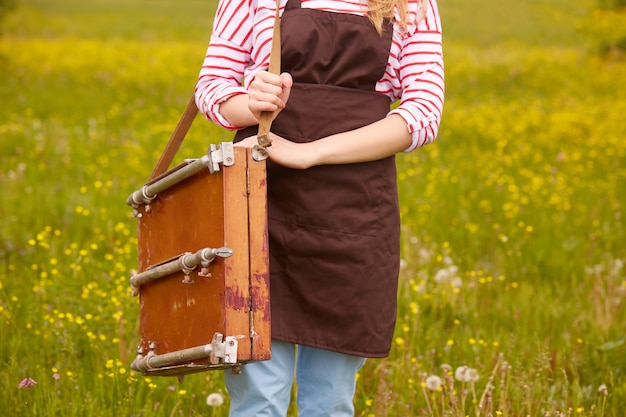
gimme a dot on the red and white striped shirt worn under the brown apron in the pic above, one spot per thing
(241, 41)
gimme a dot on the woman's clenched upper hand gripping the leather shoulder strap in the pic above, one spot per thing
(269, 92)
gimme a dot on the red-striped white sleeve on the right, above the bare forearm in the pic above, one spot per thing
(419, 71)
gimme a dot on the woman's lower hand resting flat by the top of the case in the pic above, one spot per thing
(284, 152)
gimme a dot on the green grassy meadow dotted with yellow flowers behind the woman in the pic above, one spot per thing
(514, 236)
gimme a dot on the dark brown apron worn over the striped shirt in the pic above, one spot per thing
(334, 229)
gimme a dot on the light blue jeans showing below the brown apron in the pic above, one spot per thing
(325, 381)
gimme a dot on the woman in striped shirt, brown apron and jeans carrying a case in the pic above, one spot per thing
(332, 198)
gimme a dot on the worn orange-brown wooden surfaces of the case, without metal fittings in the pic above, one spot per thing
(209, 210)
